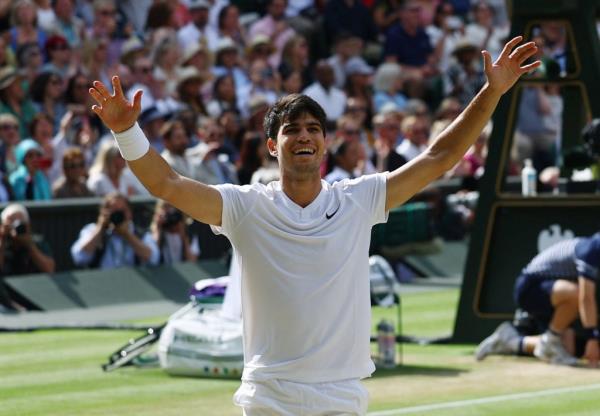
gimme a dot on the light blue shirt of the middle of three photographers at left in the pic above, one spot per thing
(117, 252)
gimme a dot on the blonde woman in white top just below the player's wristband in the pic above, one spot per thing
(106, 174)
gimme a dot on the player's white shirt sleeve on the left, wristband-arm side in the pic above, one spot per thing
(237, 204)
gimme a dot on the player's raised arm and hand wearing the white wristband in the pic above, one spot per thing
(196, 199)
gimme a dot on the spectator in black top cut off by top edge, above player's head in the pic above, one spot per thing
(349, 16)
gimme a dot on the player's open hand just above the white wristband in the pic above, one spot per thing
(115, 111)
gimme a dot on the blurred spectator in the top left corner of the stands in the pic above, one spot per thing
(25, 29)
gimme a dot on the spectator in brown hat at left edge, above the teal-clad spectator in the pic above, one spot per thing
(13, 99)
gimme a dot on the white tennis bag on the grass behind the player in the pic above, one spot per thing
(199, 341)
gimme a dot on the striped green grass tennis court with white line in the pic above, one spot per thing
(58, 373)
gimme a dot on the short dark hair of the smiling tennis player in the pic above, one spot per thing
(289, 108)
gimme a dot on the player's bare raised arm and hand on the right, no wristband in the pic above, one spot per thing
(450, 146)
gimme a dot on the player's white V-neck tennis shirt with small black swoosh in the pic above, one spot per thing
(305, 277)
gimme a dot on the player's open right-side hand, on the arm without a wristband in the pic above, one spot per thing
(508, 68)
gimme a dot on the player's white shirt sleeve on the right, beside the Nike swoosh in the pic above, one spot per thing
(369, 192)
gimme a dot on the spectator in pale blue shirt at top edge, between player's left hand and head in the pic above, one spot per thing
(199, 29)
